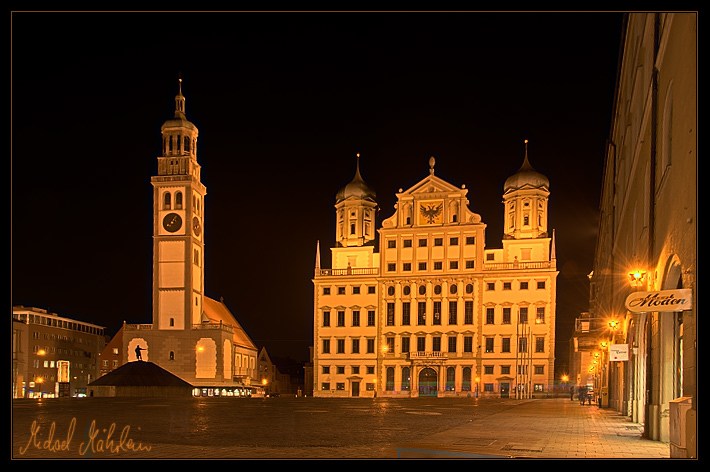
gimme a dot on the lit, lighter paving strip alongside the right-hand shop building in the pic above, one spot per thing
(551, 428)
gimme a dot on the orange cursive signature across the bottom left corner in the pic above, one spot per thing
(96, 441)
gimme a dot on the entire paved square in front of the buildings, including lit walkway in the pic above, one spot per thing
(303, 428)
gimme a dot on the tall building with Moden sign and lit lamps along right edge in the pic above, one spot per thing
(643, 290)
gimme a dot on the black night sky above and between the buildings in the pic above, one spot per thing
(283, 102)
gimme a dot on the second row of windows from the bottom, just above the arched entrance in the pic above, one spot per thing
(435, 345)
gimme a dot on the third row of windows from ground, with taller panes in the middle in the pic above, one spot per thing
(437, 316)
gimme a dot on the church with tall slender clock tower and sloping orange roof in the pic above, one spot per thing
(192, 336)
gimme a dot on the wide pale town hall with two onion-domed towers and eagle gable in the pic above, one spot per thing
(426, 309)
